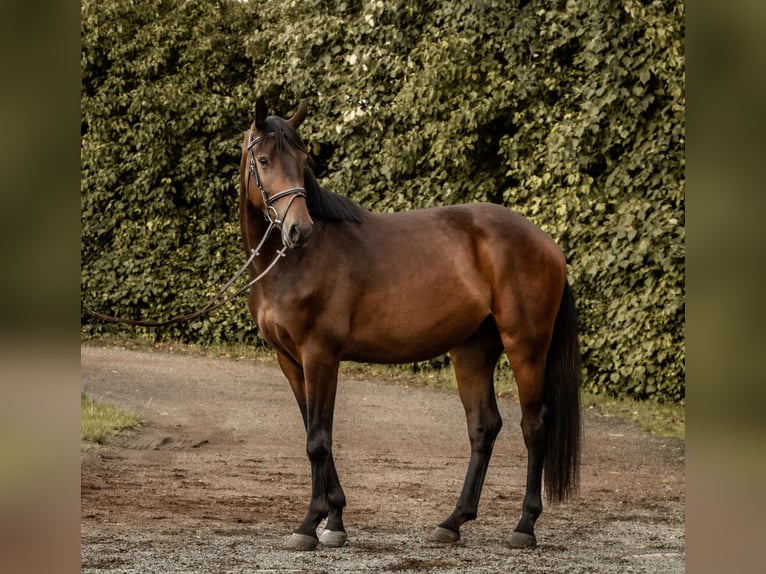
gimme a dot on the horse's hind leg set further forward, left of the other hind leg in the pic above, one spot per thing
(474, 362)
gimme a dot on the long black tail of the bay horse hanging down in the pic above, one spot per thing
(563, 376)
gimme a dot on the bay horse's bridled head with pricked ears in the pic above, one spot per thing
(275, 158)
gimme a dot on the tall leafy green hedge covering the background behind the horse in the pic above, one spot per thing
(572, 115)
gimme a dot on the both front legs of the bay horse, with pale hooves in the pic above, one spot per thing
(316, 397)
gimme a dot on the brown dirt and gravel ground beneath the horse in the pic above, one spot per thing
(216, 479)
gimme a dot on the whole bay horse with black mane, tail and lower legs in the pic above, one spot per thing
(469, 280)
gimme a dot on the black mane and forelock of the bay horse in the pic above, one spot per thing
(322, 204)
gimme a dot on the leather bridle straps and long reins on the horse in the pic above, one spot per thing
(275, 221)
